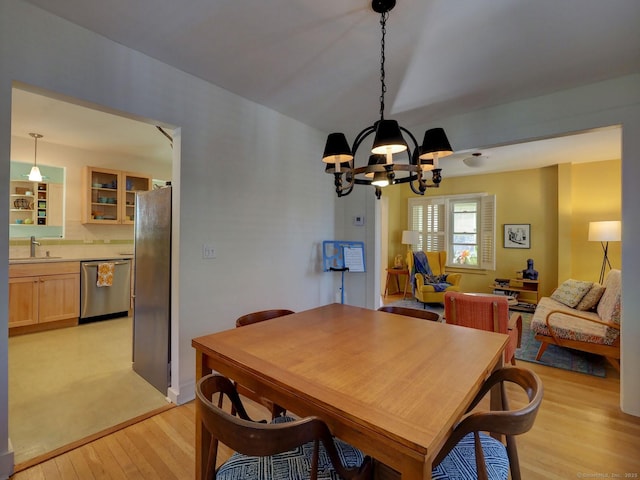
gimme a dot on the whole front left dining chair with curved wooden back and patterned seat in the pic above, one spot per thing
(284, 449)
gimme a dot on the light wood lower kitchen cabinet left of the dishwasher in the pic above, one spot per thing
(43, 295)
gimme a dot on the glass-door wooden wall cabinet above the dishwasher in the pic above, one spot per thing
(111, 195)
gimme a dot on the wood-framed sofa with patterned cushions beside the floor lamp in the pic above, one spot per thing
(582, 315)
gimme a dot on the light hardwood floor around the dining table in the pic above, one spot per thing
(580, 432)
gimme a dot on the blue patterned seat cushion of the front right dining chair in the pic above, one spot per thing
(461, 461)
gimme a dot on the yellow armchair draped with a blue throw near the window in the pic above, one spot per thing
(423, 290)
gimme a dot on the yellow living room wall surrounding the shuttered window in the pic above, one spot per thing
(558, 202)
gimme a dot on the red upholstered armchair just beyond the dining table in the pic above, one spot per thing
(485, 312)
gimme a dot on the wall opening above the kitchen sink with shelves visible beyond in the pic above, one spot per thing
(36, 208)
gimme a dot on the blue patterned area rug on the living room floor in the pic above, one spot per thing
(554, 356)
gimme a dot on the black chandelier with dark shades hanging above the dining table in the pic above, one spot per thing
(382, 168)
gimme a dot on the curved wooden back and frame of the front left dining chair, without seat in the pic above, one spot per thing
(245, 436)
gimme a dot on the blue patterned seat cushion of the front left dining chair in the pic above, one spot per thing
(294, 464)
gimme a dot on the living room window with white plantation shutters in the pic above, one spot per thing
(462, 225)
